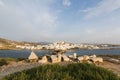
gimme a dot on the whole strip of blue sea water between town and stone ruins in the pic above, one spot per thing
(26, 53)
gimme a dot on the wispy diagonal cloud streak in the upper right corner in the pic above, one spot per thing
(104, 7)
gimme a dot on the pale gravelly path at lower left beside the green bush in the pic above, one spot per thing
(16, 67)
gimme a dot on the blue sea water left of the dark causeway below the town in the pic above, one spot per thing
(22, 53)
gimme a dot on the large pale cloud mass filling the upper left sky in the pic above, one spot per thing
(23, 20)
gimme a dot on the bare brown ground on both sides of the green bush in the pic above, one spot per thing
(22, 65)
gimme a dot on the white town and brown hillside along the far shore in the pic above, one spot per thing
(62, 45)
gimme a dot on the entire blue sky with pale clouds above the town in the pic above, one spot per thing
(79, 21)
